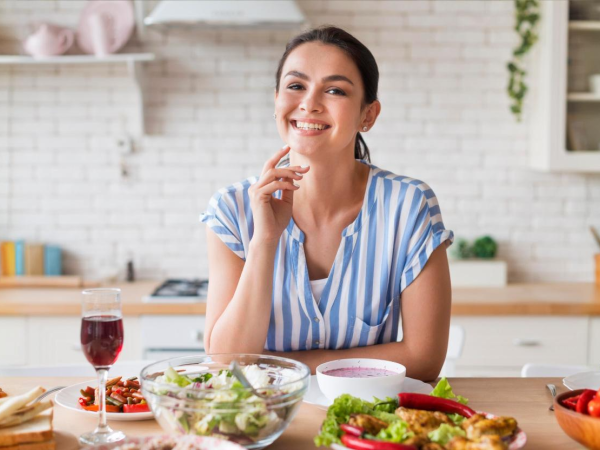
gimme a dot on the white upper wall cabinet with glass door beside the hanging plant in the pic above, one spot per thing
(565, 135)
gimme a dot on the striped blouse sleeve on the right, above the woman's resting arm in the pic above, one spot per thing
(427, 232)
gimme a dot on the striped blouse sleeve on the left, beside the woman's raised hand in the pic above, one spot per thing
(222, 218)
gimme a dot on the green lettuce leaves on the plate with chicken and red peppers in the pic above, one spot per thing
(397, 430)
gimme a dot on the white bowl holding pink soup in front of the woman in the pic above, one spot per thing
(365, 388)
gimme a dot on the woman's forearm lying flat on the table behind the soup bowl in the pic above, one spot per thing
(422, 367)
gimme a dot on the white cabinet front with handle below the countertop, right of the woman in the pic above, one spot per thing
(500, 346)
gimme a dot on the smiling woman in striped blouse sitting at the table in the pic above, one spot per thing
(316, 259)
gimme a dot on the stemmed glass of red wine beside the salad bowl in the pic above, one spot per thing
(101, 341)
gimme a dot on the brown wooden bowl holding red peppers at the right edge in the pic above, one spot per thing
(580, 427)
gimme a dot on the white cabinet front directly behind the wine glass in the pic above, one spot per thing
(55, 340)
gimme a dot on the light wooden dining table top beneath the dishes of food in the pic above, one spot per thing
(526, 399)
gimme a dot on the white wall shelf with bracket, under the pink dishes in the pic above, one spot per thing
(133, 61)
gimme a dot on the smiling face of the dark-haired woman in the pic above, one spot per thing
(320, 86)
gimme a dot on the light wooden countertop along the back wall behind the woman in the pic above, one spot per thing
(514, 299)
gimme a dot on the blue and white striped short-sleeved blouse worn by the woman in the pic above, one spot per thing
(380, 254)
